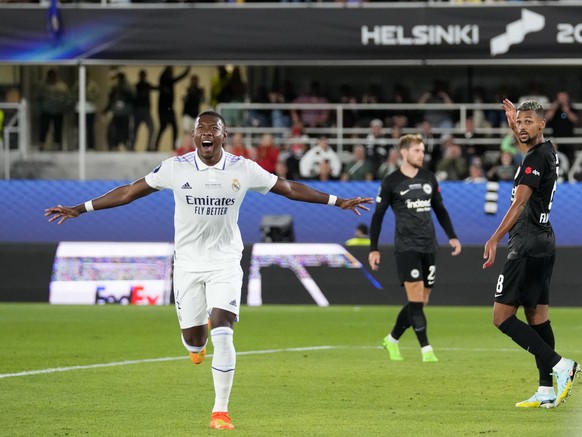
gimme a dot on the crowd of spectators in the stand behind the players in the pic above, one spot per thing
(292, 151)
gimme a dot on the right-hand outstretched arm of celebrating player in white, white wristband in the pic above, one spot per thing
(298, 191)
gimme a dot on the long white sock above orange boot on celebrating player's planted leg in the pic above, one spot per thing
(223, 365)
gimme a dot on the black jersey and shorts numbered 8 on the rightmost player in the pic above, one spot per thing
(525, 279)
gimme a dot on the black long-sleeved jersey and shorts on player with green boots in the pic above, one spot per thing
(412, 200)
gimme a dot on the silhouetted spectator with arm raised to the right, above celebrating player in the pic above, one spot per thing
(166, 114)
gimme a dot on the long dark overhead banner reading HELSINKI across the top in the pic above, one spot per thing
(380, 34)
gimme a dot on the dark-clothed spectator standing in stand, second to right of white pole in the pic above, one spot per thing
(120, 104)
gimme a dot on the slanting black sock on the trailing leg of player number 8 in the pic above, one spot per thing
(527, 337)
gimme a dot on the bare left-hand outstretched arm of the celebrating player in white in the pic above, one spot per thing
(121, 195)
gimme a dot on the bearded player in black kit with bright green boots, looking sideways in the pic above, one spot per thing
(413, 193)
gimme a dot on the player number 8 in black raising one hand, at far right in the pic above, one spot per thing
(525, 278)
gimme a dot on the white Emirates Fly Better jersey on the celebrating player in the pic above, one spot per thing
(208, 199)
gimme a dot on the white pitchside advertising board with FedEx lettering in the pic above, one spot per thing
(112, 273)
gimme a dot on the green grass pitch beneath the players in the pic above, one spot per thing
(350, 388)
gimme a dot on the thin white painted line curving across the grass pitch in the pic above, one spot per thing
(258, 352)
